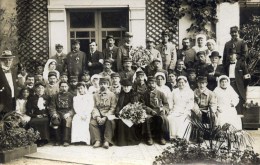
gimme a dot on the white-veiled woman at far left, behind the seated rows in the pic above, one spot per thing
(50, 65)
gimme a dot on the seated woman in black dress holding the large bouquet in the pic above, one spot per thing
(125, 135)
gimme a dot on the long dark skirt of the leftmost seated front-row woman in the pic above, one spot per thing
(41, 125)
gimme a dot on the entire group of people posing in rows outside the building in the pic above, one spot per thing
(79, 96)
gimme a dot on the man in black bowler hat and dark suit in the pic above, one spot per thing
(214, 70)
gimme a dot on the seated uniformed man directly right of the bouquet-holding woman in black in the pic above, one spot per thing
(157, 107)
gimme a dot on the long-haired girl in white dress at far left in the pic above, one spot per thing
(20, 105)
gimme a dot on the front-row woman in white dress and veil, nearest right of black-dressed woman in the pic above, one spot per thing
(183, 102)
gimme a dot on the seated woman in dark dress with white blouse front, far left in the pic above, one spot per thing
(36, 108)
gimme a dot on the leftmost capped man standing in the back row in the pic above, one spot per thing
(59, 57)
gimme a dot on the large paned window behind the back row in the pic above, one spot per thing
(94, 25)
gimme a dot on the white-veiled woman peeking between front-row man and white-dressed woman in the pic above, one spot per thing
(161, 81)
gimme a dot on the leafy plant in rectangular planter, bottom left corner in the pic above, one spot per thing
(15, 141)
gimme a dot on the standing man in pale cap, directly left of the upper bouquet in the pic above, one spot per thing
(123, 50)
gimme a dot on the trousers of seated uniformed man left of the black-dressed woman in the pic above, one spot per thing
(101, 133)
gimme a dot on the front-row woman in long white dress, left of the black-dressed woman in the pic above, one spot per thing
(83, 105)
